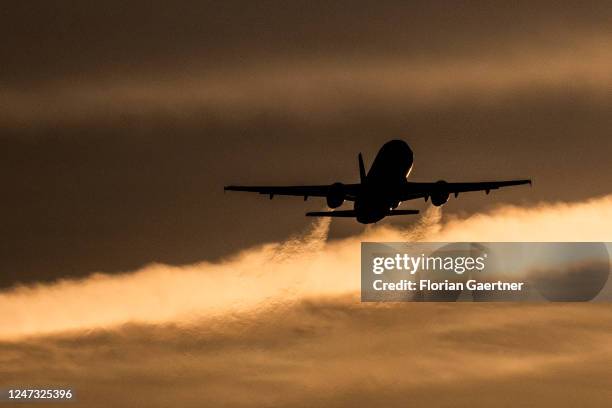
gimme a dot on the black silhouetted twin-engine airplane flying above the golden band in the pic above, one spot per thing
(382, 188)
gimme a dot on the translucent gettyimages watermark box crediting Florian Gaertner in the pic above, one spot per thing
(492, 271)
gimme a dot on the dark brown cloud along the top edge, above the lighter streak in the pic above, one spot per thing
(47, 41)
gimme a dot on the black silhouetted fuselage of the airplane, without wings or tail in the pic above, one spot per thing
(378, 193)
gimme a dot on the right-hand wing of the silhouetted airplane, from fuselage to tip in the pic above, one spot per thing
(419, 190)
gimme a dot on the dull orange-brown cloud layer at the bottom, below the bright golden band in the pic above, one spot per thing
(335, 352)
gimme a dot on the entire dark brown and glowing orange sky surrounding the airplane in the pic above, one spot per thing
(120, 124)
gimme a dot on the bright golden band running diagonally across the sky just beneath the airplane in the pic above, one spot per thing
(305, 266)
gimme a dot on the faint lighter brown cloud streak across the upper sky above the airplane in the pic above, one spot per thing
(324, 87)
